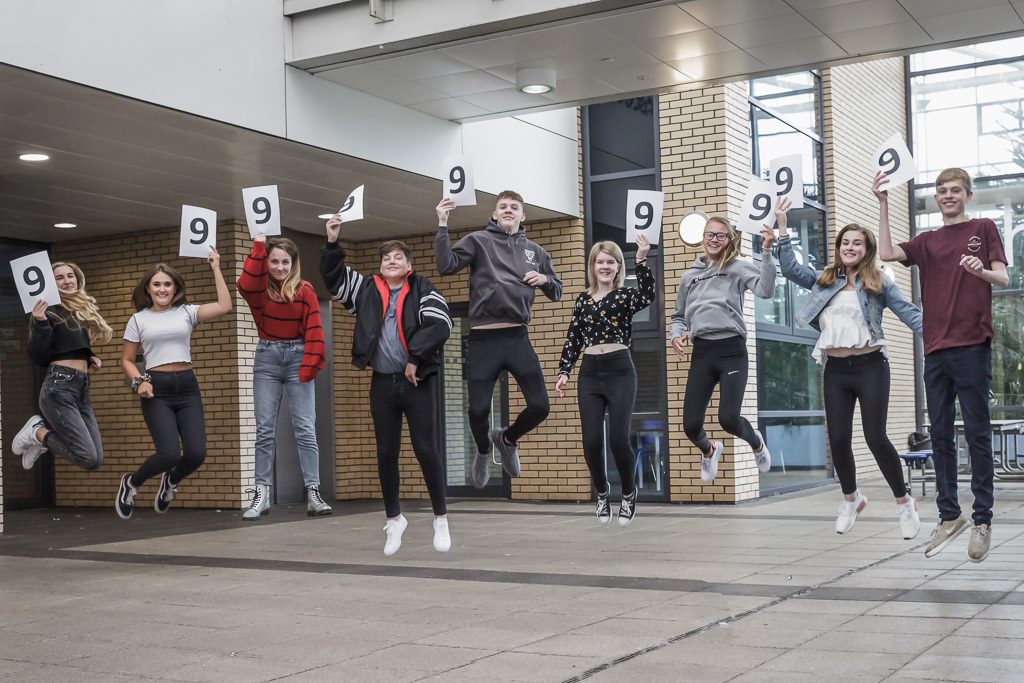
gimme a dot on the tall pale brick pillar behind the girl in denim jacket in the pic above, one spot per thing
(864, 106)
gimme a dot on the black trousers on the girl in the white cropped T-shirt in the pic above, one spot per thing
(176, 410)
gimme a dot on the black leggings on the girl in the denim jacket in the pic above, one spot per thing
(861, 378)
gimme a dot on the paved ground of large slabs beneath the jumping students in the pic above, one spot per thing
(758, 592)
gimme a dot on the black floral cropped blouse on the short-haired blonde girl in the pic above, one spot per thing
(609, 321)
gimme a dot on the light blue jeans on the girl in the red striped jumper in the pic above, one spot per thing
(276, 372)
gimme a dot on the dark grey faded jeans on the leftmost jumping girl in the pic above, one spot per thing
(64, 402)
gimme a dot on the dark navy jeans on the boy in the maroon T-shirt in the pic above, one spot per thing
(964, 373)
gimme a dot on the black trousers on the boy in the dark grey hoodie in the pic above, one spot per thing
(489, 353)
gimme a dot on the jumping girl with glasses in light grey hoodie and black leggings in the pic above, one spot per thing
(710, 309)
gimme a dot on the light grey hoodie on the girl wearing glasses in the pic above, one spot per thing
(710, 304)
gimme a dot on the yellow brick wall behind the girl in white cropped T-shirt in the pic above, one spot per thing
(112, 268)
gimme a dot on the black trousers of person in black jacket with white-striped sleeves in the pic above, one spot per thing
(391, 398)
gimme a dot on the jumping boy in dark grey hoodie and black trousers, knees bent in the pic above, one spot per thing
(505, 269)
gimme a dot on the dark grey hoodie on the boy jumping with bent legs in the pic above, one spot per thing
(498, 262)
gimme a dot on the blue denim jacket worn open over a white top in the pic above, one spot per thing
(872, 305)
